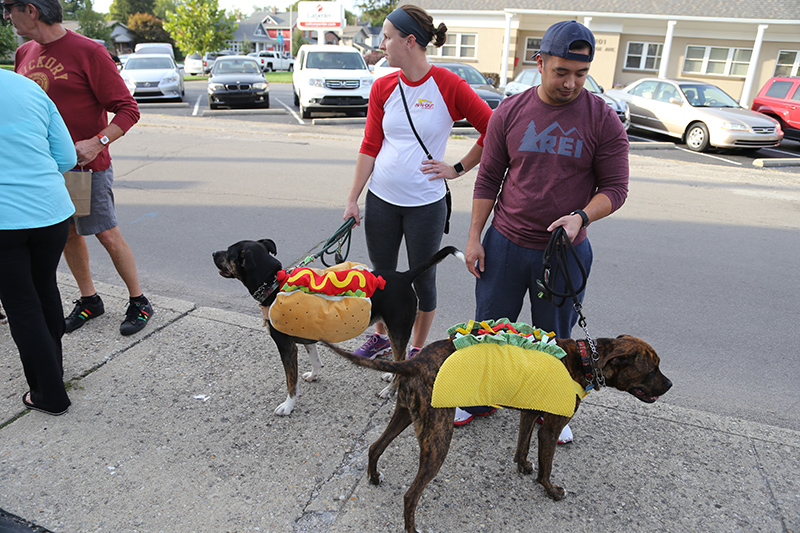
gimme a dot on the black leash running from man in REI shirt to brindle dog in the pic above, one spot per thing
(554, 263)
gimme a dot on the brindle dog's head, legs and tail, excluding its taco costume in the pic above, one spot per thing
(628, 364)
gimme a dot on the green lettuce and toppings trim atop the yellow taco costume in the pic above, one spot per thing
(519, 334)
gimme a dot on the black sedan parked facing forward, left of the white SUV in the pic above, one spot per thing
(237, 81)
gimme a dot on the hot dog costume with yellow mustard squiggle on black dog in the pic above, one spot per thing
(332, 305)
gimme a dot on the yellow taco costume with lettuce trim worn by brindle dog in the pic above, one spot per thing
(501, 363)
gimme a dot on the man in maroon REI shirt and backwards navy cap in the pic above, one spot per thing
(554, 156)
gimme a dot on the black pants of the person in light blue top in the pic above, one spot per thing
(29, 292)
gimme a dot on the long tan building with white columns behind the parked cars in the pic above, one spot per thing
(734, 44)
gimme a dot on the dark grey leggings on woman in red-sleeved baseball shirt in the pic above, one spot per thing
(386, 224)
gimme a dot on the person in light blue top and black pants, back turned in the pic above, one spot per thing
(35, 209)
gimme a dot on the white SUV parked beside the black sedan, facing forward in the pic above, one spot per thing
(330, 77)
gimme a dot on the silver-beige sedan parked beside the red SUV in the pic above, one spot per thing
(700, 114)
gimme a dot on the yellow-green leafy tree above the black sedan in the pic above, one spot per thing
(200, 25)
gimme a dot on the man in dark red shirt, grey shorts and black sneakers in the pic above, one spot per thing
(79, 75)
